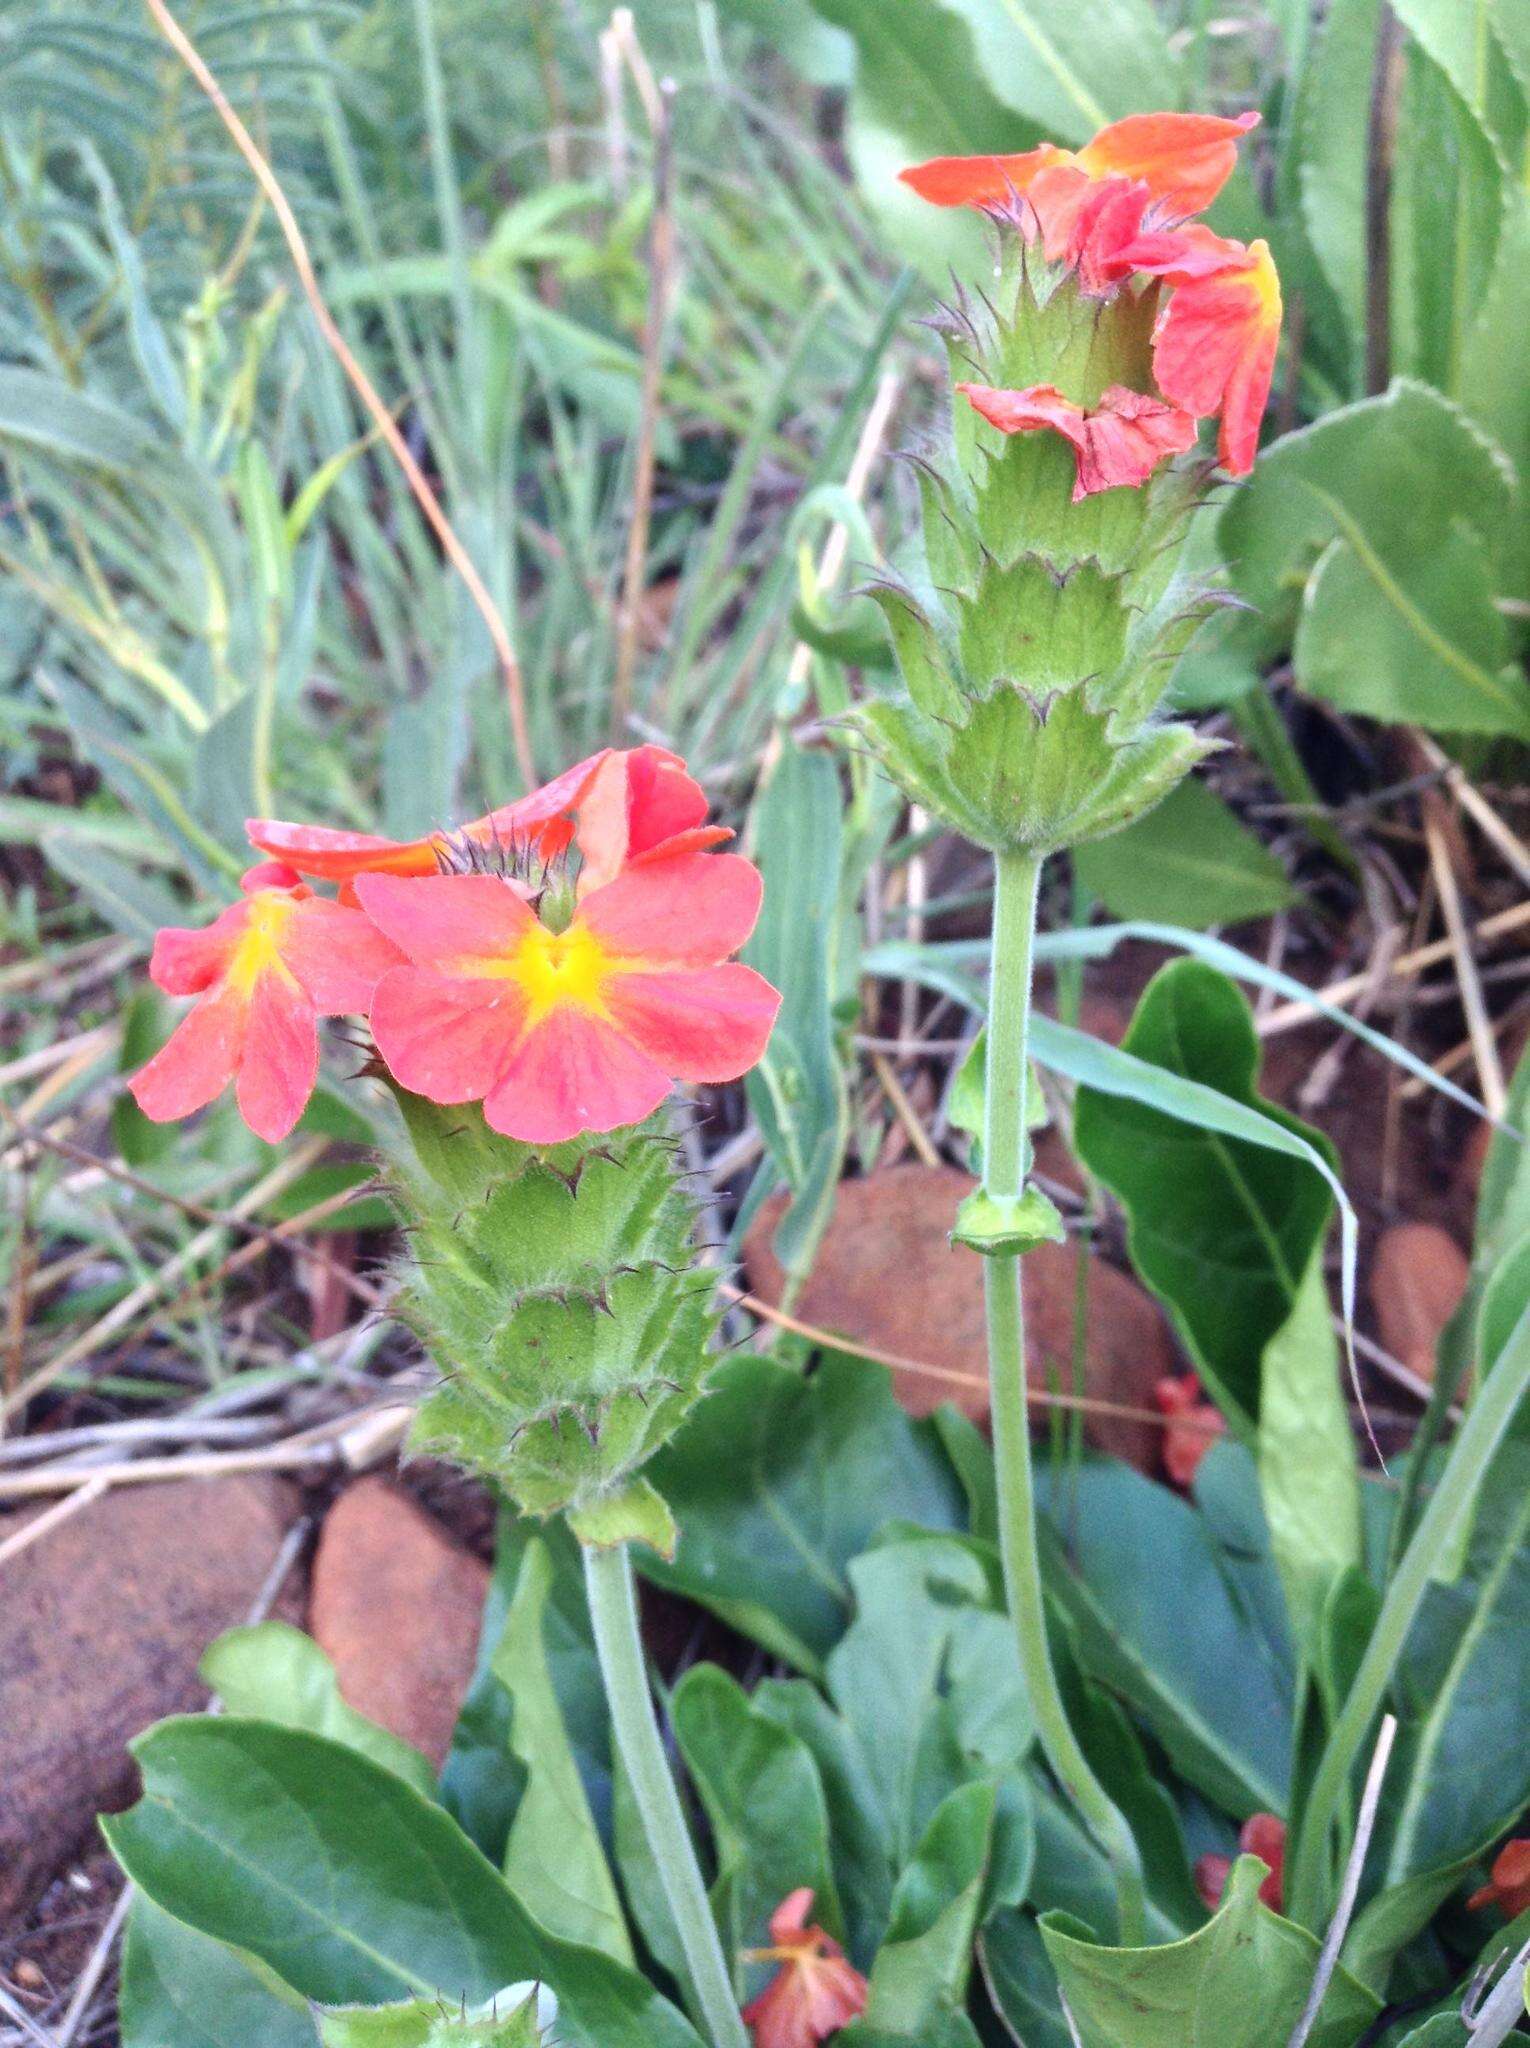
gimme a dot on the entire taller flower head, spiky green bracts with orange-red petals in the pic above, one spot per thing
(1037, 640)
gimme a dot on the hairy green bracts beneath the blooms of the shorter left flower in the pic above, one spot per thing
(556, 1293)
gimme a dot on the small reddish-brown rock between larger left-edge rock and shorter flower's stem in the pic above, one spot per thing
(398, 1609)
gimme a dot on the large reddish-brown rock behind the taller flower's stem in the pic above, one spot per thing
(886, 1277)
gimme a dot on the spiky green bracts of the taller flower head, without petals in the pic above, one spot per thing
(1039, 648)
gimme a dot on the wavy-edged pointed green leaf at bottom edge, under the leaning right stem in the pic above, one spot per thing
(1238, 1983)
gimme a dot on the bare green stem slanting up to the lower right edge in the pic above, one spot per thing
(1480, 1437)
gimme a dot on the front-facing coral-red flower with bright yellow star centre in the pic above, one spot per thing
(562, 1029)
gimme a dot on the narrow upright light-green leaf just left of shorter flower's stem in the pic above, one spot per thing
(554, 1861)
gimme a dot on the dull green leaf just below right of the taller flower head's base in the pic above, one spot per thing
(1189, 861)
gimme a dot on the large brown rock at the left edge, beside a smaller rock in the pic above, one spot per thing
(101, 1627)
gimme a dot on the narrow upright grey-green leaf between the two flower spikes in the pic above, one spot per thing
(800, 1091)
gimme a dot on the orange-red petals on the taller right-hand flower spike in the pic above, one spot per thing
(1119, 212)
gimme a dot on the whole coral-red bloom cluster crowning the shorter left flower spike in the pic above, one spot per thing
(560, 962)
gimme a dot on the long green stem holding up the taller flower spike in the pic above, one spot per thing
(1005, 1175)
